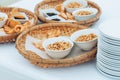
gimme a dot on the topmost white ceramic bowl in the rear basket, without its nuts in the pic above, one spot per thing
(83, 2)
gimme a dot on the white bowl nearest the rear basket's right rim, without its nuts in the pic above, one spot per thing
(85, 17)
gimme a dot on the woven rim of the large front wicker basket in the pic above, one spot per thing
(25, 53)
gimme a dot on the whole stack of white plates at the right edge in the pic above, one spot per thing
(108, 57)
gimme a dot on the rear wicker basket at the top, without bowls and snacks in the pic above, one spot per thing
(52, 3)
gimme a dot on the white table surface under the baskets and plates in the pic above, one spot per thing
(14, 67)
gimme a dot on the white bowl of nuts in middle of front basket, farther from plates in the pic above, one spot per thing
(57, 47)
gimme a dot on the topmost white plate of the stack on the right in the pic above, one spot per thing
(111, 29)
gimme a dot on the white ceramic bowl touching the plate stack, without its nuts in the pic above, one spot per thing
(87, 45)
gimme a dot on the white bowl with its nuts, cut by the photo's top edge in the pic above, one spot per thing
(72, 5)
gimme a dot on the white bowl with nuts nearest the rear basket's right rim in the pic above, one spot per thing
(84, 13)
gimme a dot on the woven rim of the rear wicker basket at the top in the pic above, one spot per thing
(88, 22)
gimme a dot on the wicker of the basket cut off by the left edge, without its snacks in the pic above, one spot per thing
(12, 37)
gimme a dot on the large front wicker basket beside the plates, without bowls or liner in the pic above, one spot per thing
(66, 30)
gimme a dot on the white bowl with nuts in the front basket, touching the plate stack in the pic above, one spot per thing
(86, 39)
